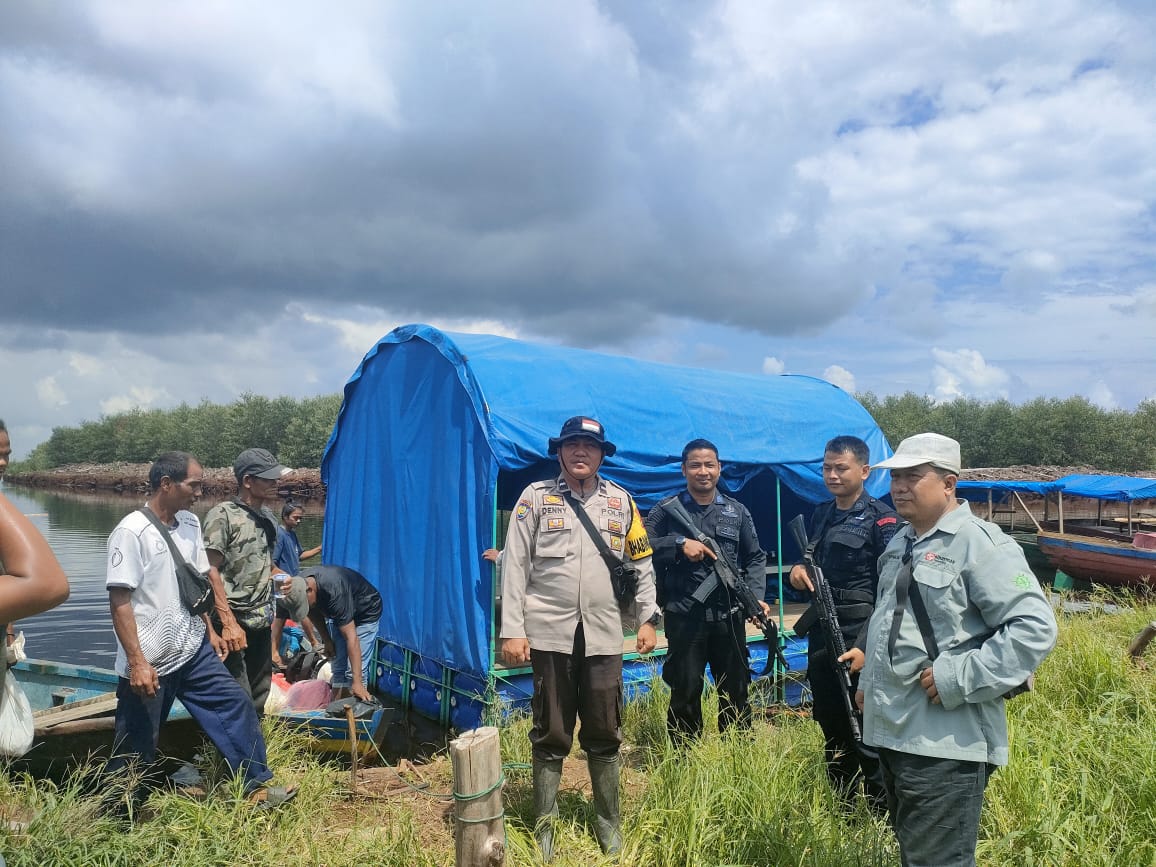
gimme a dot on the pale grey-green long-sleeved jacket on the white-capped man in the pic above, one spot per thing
(994, 628)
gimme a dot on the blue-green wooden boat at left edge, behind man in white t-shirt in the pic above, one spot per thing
(75, 709)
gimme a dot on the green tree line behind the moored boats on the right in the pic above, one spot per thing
(1072, 432)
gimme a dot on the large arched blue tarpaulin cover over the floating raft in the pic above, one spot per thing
(432, 419)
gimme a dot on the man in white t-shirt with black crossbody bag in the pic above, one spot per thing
(164, 651)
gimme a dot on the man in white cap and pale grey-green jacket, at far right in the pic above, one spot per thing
(960, 623)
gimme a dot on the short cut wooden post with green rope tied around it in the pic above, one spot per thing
(479, 833)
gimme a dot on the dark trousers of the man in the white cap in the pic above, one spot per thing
(935, 806)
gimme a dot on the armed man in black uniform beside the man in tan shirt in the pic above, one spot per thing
(710, 631)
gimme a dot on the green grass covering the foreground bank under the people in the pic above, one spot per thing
(1081, 790)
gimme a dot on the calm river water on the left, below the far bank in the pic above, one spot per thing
(78, 527)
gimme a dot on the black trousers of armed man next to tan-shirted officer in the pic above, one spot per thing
(694, 643)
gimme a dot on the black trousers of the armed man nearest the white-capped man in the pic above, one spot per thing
(848, 761)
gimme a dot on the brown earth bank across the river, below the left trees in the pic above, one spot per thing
(127, 478)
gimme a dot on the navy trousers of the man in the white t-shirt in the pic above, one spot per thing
(213, 699)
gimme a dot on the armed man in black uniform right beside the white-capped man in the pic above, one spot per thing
(848, 535)
